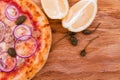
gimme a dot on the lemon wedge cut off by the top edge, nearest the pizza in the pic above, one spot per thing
(55, 9)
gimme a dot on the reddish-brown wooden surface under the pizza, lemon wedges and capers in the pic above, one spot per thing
(102, 61)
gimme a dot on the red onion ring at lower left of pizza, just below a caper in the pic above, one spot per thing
(7, 63)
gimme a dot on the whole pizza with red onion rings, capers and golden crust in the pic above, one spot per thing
(25, 39)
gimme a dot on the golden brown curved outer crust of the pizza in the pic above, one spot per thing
(28, 72)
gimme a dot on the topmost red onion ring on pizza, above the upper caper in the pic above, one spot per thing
(12, 12)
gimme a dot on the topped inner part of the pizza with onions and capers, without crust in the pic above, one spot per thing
(18, 42)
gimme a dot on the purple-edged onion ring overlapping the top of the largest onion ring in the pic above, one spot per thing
(22, 30)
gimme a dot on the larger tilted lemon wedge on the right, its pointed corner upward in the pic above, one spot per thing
(80, 15)
